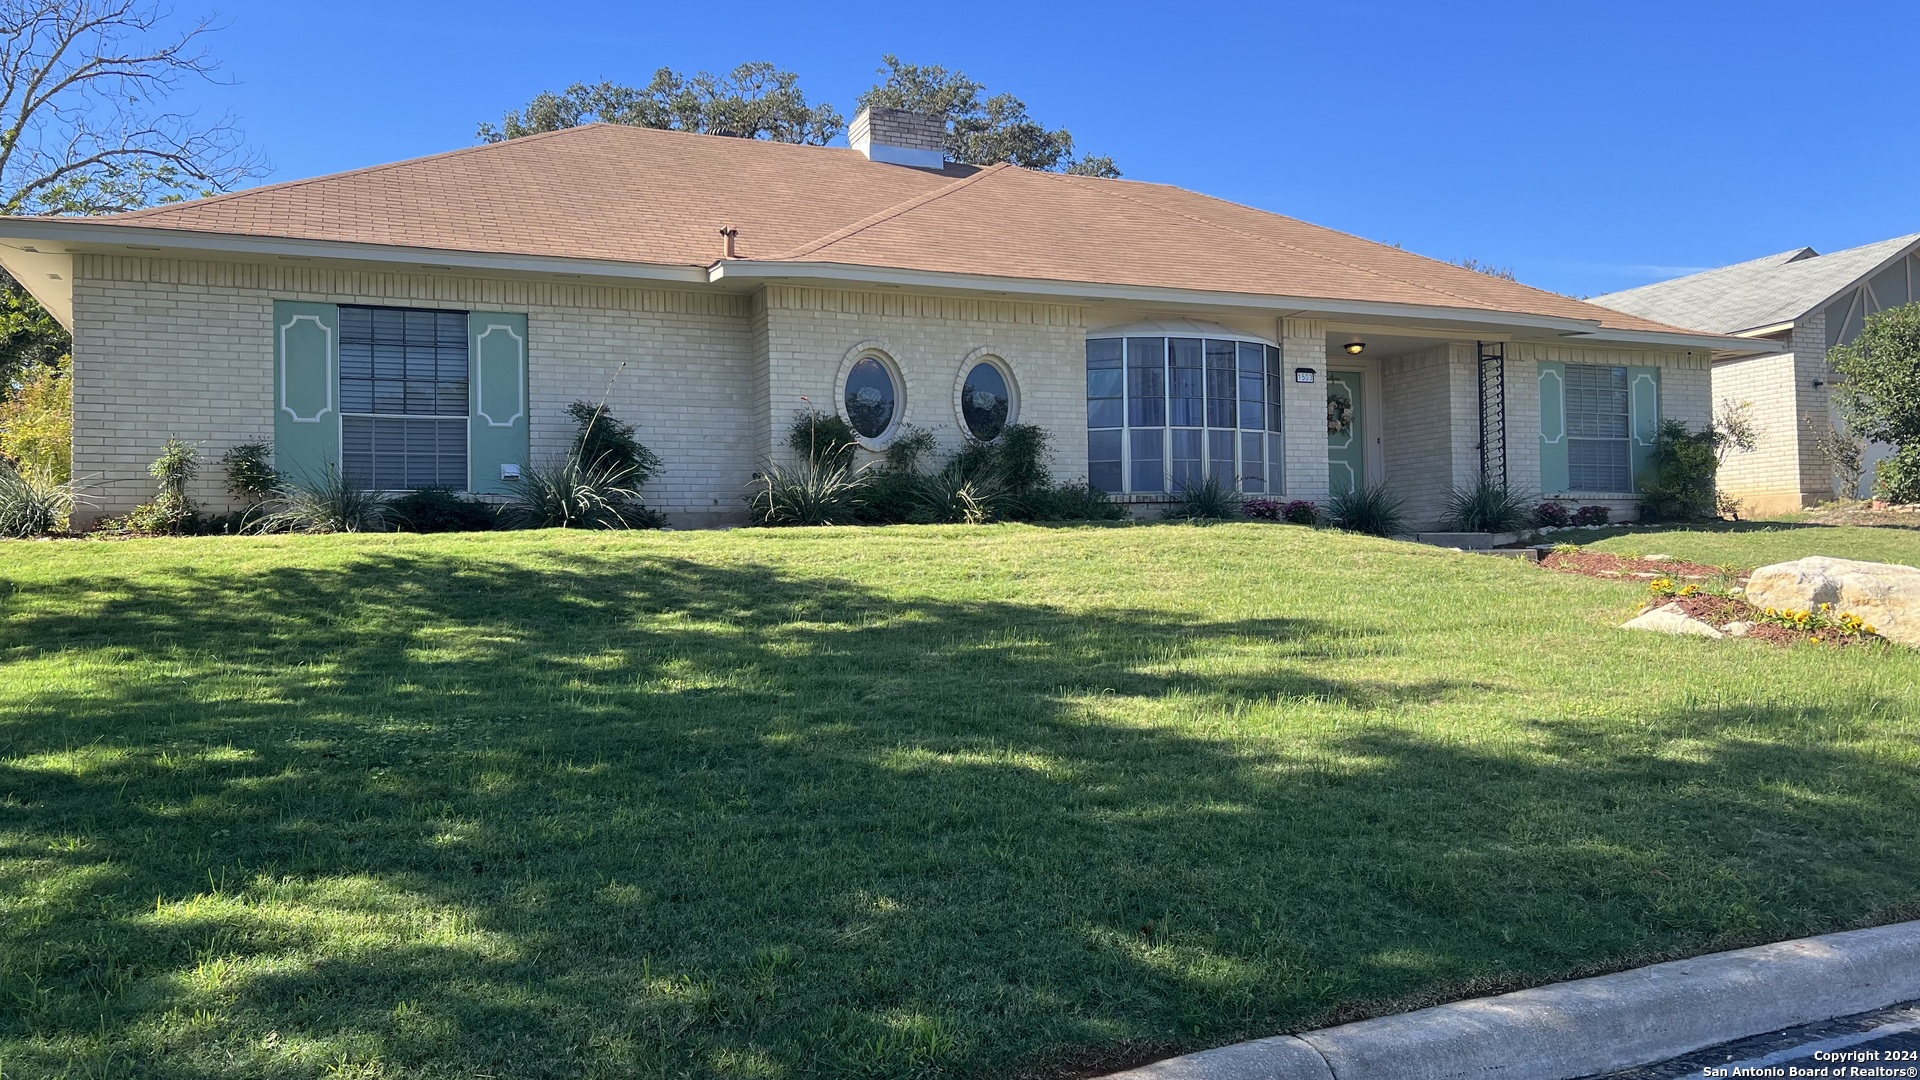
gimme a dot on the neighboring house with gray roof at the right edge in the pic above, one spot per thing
(1806, 303)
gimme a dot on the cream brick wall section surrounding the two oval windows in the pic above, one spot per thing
(811, 333)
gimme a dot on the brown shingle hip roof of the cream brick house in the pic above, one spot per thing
(660, 197)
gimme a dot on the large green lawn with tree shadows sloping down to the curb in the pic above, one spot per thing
(907, 802)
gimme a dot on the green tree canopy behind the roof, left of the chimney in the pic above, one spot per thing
(756, 101)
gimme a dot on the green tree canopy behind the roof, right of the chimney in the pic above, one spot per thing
(980, 130)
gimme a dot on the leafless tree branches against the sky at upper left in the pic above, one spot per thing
(82, 120)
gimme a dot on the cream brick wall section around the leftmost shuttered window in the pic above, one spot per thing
(185, 349)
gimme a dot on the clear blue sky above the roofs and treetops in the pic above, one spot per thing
(1591, 147)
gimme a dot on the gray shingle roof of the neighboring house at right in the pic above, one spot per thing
(1760, 293)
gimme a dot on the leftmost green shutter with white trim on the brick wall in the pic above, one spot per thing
(306, 389)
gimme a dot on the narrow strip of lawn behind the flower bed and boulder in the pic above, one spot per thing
(1758, 543)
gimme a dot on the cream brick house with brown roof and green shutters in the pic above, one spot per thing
(429, 324)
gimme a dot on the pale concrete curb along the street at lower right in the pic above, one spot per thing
(1593, 1025)
